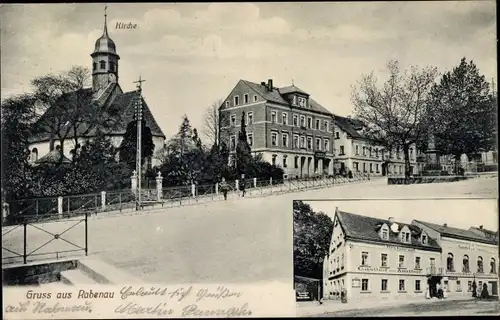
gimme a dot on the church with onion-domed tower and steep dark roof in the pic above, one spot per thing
(105, 93)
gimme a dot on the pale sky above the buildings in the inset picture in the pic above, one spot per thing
(458, 213)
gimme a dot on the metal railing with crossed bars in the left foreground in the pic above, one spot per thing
(15, 250)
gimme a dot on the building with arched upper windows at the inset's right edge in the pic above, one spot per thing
(467, 256)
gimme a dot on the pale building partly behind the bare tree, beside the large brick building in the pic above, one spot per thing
(356, 153)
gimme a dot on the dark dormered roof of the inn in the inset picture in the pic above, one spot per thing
(365, 228)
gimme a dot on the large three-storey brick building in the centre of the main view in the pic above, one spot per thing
(284, 124)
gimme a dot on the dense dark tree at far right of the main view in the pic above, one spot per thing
(463, 112)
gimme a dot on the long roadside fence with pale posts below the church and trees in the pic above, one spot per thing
(45, 209)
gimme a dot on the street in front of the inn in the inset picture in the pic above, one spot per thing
(437, 308)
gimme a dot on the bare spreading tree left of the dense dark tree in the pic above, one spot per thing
(395, 114)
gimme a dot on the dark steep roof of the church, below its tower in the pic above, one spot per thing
(120, 105)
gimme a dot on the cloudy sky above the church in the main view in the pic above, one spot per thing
(193, 54)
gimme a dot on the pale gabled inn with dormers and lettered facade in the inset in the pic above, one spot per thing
(379, 259)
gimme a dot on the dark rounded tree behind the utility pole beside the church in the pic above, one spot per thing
(128, 147)
